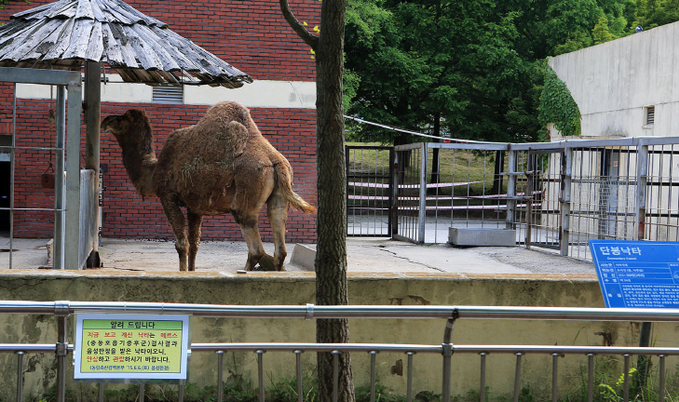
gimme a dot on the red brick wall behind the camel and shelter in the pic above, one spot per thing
(252, 36)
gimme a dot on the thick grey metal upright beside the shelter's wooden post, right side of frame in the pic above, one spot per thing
(72, 230)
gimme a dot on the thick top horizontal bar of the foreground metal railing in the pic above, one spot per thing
(311, 311)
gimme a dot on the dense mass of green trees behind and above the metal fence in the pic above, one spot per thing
(468, 69)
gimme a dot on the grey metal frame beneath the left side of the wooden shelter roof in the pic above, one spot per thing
(67, 170)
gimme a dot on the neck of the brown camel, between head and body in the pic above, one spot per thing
(140, 161)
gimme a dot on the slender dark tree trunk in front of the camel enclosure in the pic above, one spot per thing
(331, 250)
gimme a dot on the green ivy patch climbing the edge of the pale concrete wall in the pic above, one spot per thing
(557, 105)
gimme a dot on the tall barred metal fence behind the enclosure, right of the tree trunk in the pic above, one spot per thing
(556, 195)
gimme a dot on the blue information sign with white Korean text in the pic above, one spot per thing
(642, 274)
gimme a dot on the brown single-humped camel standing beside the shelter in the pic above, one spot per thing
(222, 164)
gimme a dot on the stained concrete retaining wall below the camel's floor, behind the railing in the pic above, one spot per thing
(298, 289)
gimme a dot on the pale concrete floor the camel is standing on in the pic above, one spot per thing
(364, 255)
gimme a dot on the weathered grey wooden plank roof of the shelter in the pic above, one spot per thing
(63, 34)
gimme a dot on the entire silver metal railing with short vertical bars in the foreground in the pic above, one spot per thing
(63, 309)
